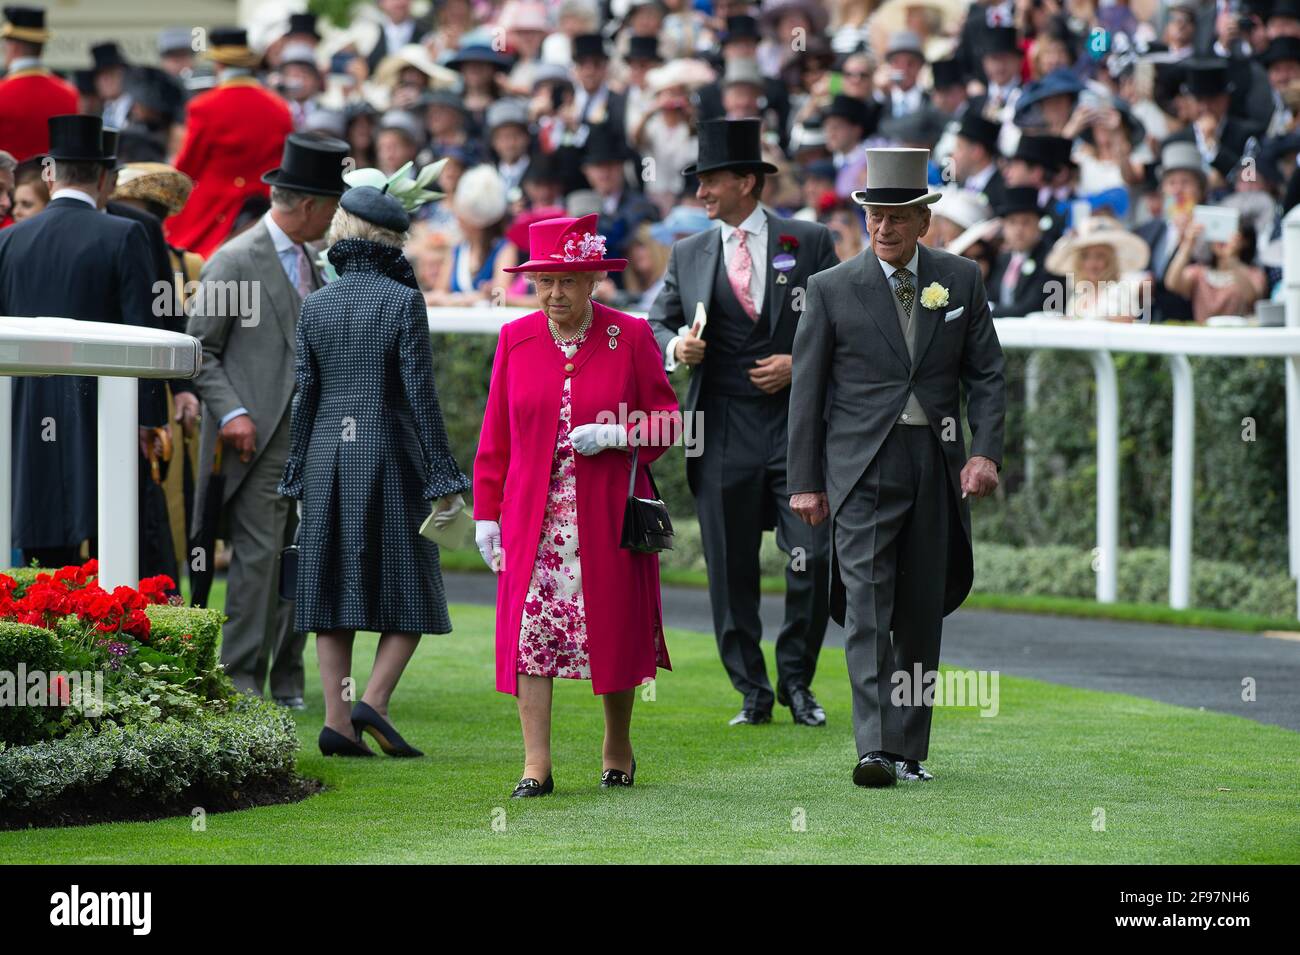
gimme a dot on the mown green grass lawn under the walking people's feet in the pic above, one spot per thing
(1176, 785)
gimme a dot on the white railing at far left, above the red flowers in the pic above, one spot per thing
(118, 355)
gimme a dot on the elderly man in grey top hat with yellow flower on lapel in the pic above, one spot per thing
(889, 341)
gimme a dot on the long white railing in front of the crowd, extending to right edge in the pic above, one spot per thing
(1100, 341)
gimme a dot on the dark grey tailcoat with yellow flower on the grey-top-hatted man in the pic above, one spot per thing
(853, 375)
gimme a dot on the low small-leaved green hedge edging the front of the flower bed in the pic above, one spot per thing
(216, 750)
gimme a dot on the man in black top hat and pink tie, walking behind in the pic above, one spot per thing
(749, 275)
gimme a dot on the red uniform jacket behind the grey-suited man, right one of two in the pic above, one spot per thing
(235, 134)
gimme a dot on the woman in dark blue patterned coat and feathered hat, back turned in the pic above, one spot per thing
(369, 455)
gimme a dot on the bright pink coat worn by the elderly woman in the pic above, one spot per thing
(621, 589)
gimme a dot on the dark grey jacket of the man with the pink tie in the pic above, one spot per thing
(692, 268)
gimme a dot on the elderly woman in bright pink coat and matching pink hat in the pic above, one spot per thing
(575, 388)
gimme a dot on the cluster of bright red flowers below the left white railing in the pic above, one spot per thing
(72, 591)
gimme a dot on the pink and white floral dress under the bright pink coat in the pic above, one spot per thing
(553, 631)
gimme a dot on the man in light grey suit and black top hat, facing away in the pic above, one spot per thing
(246, 316)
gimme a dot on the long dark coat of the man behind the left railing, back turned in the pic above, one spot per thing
(72, 262)
